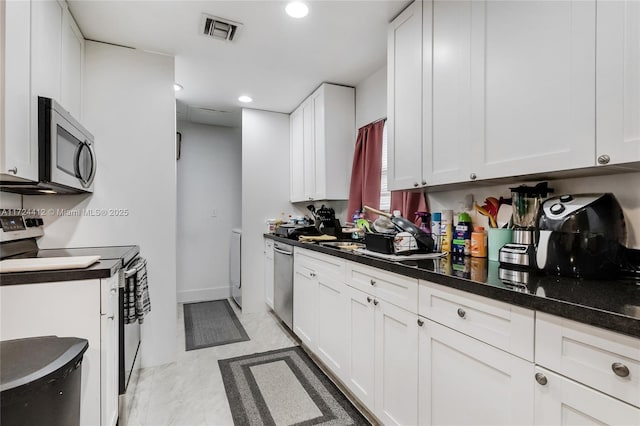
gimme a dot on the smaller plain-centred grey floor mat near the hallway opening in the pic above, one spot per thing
(211, 323)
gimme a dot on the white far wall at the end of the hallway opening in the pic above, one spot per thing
(209, 178)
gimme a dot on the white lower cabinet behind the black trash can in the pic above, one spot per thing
(85, 309)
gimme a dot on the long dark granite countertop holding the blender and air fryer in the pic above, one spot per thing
(610, 304)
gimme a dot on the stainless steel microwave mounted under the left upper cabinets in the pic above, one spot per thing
(66, 155)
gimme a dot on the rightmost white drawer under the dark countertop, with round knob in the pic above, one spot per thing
(601, 359)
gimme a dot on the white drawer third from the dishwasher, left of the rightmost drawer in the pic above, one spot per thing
(499, 324)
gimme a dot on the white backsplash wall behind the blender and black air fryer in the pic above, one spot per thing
(623, 186)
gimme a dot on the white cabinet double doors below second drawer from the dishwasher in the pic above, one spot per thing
(383, 358)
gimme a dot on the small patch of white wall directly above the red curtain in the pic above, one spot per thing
(371, 98)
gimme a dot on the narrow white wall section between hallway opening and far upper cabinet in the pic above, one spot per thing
(265, 194)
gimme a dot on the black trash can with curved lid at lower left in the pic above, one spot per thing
(40, 380)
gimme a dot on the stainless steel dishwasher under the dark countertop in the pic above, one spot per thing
(283, 282)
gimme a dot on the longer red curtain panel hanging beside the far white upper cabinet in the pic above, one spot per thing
(367, 168)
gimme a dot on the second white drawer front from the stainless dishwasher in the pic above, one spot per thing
(393, 288)
